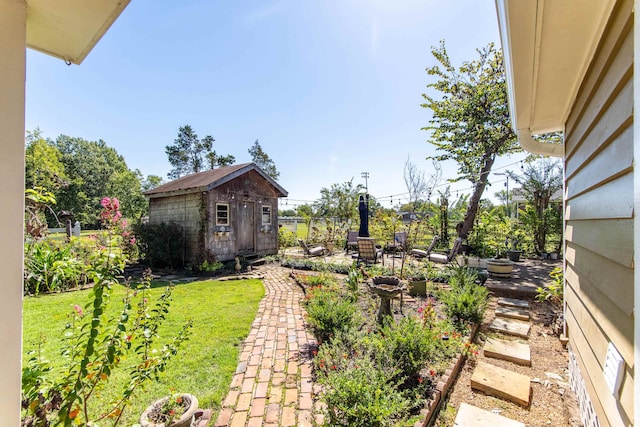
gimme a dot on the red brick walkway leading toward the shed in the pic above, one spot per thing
(273, 385)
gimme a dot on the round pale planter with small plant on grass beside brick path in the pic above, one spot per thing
(177, 410)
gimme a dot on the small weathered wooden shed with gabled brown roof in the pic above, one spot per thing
(225, 212)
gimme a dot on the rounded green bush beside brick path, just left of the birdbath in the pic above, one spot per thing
(328, 312)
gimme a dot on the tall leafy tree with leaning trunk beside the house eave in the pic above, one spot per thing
(470, 119)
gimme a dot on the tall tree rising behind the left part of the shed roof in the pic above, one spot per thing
(188, 154)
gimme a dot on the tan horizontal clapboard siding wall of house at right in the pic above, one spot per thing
(599, 218)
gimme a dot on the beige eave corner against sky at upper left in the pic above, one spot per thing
(70, 29)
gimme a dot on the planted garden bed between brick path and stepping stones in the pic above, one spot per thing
(421, 344)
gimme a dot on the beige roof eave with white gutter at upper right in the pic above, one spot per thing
(548, 46)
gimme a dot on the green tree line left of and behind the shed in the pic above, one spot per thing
(79, 173)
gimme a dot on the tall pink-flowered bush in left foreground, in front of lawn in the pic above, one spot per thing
(95, 344)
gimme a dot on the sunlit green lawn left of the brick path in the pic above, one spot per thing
(222, 313)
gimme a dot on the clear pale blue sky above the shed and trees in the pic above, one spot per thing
(330, 88)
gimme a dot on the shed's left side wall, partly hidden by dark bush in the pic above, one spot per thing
(184, 210)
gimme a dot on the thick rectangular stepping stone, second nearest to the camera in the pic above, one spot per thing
(502, 383)
